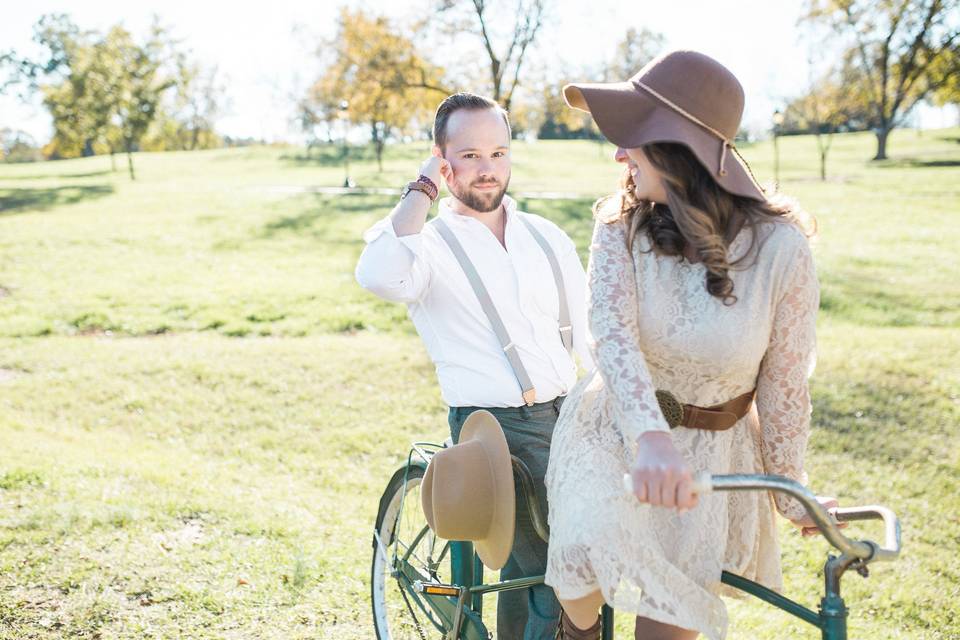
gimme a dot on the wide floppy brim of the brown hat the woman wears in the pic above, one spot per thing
(630, 118)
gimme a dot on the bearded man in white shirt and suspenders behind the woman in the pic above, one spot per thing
(409, 260)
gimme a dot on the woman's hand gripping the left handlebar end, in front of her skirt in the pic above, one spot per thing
(660, 475)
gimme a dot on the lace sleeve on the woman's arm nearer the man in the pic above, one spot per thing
(615, 332)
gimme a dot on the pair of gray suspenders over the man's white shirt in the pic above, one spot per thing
(476, 282)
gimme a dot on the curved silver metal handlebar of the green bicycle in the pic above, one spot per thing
(867, 551)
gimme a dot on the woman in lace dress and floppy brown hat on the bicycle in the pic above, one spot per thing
(703, 301)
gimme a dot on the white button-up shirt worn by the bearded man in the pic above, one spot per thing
(422, 271)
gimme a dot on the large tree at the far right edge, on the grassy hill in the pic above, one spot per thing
(895, 43)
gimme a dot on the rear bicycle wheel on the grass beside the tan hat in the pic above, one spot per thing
(405, 541)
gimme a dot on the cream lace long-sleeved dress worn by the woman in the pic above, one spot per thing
(655, 326)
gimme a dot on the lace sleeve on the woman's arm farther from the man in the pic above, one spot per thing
(783, 393)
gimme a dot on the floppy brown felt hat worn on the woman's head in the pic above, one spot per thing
(684, 97)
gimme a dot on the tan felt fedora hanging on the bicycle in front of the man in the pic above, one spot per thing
(467, 492)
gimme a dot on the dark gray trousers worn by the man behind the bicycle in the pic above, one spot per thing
(527, 614)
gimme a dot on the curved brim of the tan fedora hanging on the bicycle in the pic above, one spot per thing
(494, 550)
